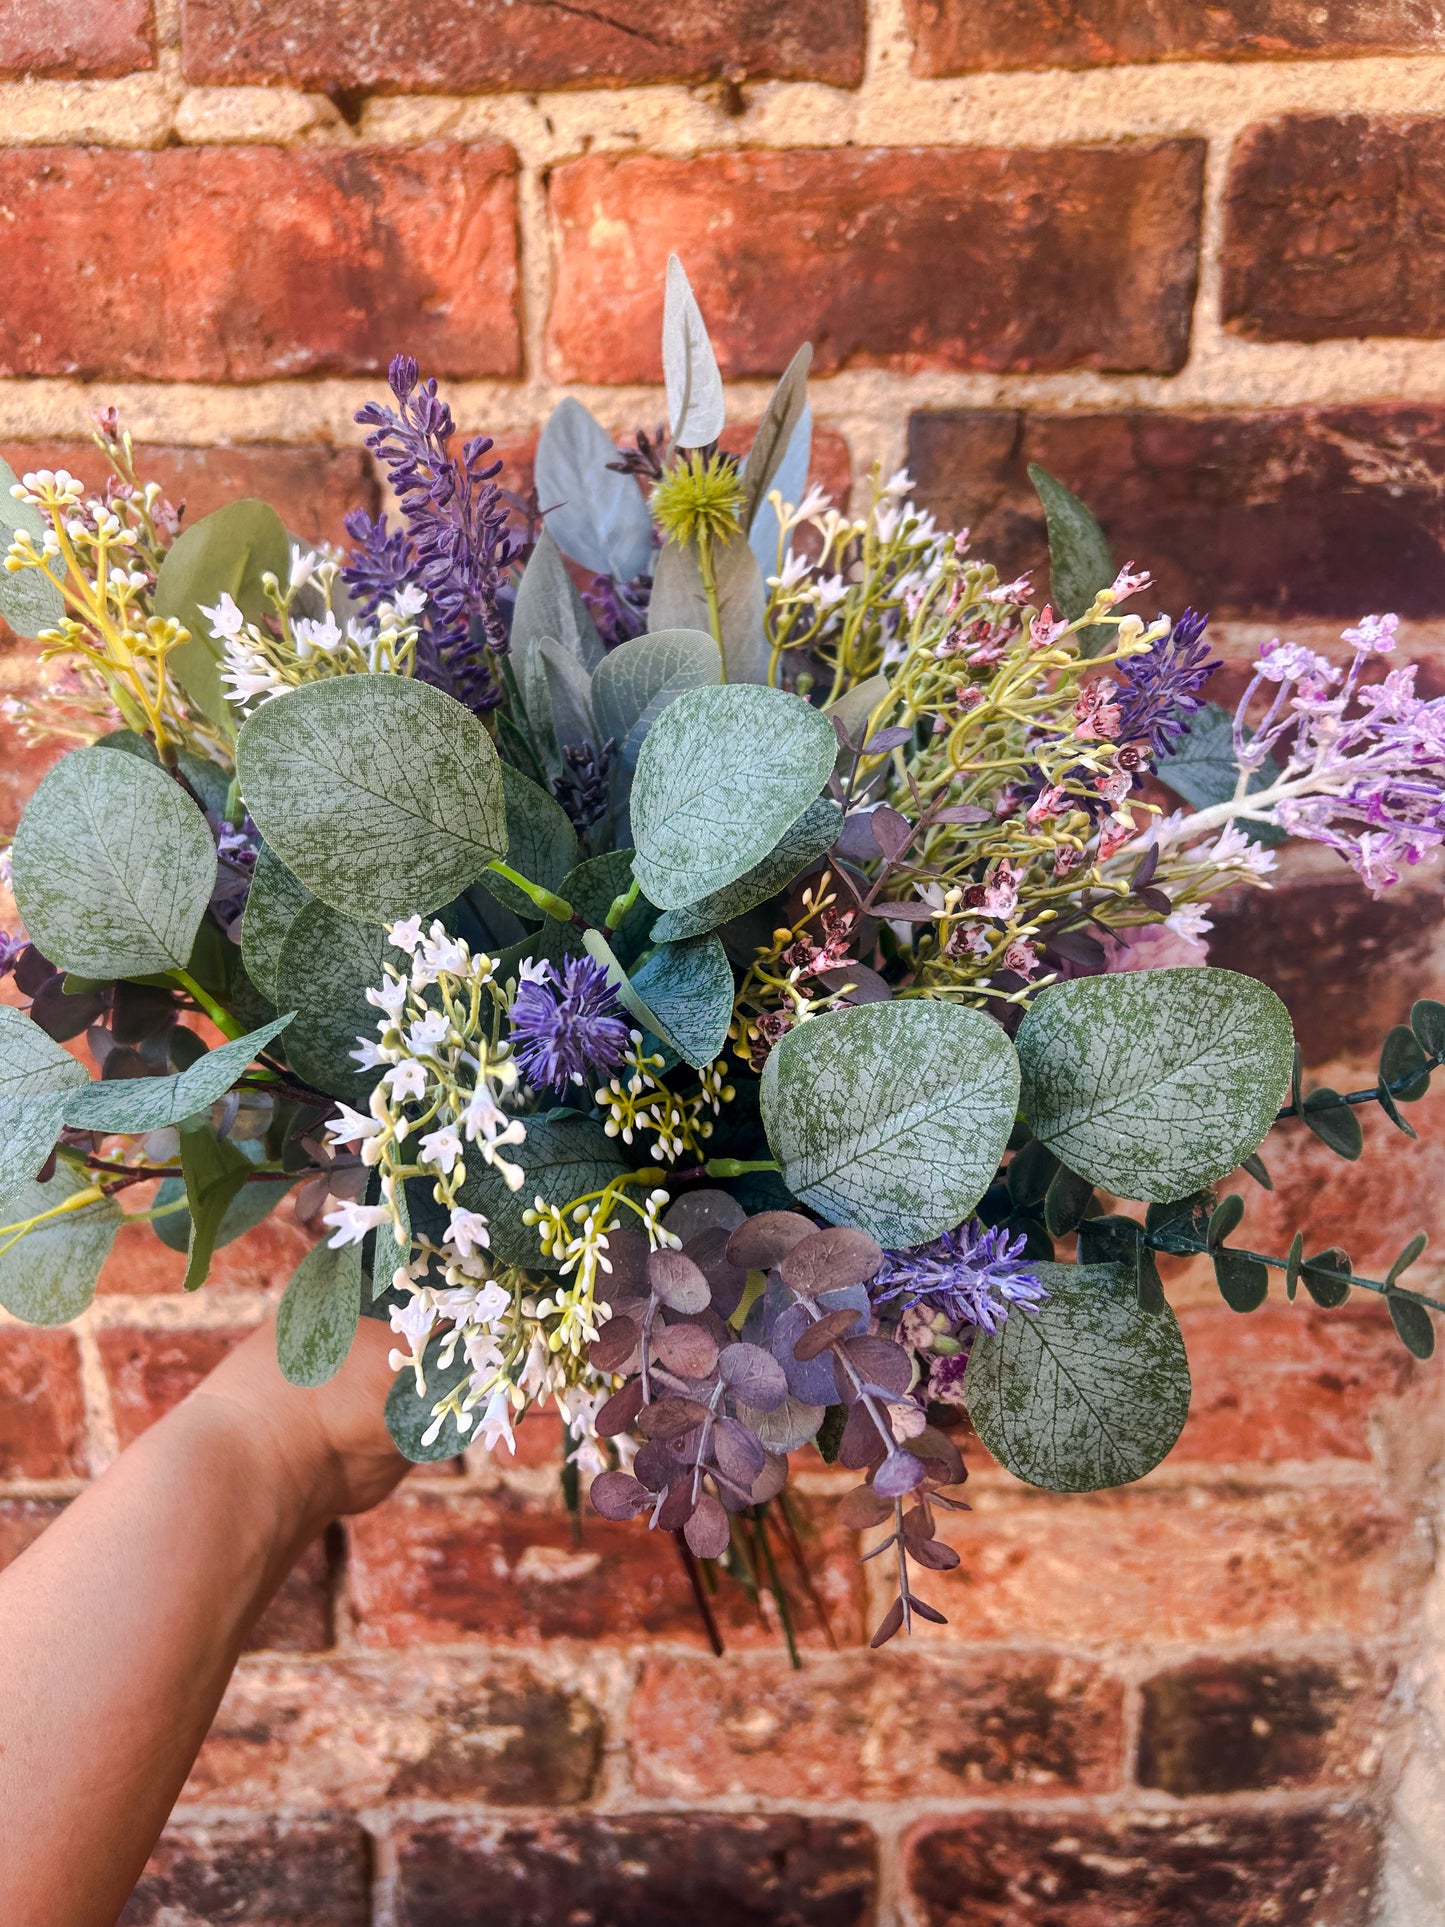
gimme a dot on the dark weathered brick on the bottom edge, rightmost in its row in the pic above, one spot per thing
(1145, 1870)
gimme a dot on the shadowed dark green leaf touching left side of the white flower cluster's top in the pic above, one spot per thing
(327, 968)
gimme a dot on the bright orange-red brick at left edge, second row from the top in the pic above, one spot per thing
(251, 265)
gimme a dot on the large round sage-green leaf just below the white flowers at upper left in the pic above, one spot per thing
(379, 793)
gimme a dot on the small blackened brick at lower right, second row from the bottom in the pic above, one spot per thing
(1232, 1726)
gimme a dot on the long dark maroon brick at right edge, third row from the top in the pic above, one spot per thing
(1278, 512)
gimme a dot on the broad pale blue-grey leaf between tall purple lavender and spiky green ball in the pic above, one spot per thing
(594, 514)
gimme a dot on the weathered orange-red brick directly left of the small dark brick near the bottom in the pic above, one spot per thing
(876, 1728)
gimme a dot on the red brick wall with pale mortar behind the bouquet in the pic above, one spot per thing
(1192, 261)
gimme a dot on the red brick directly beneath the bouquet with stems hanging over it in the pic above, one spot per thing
(456, 1566)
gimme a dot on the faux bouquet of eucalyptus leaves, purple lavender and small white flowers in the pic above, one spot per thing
(702, 959)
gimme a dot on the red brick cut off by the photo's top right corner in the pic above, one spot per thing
(962, 38)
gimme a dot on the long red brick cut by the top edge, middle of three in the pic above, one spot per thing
(492, 45)
